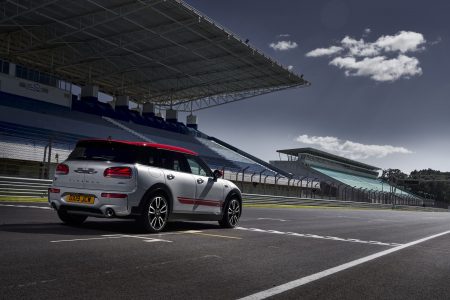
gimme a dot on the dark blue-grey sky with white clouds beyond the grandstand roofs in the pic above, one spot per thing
(379, 70)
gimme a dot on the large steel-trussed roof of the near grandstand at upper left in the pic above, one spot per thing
(152, 50)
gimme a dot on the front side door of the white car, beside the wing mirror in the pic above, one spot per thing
(209, 192)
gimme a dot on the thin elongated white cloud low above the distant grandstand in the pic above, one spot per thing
(351, 149)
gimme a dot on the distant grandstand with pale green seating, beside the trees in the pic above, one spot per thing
(344, 178)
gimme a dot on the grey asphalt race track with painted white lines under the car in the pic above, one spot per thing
(277, 253)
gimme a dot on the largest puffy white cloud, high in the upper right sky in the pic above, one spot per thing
(384, 59)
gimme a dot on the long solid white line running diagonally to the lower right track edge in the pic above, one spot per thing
(302, 281)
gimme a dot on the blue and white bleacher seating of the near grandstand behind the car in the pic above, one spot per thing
(36, 121)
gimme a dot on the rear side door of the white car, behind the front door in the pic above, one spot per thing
(180, 181)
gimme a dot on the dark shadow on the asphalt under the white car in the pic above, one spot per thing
(95, 227)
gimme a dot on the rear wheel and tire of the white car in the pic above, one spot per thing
(155, 214)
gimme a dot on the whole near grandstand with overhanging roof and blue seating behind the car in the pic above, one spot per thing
(154, 56)
